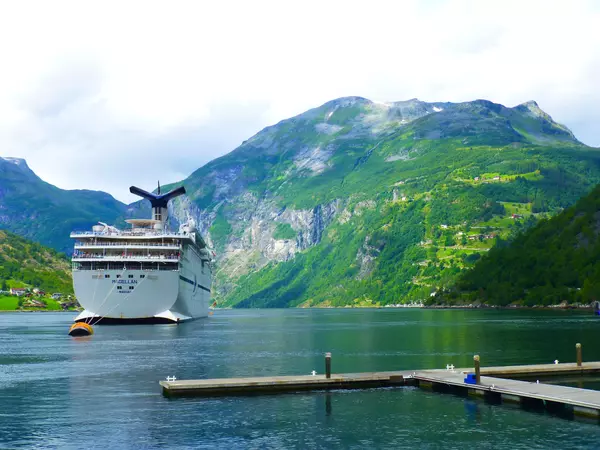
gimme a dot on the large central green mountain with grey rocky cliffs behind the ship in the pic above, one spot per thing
(364, 203)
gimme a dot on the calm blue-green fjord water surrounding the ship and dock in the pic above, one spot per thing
(103, 392)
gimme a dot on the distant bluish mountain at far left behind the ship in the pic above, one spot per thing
(39, 211)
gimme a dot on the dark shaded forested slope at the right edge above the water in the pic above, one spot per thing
(557, 260)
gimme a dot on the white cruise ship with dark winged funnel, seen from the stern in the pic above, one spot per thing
(144, 274)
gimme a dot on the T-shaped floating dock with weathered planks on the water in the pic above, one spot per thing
(497, 385)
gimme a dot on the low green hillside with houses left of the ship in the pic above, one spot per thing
(28, 264)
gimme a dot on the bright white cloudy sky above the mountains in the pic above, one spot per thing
(102, 95)
